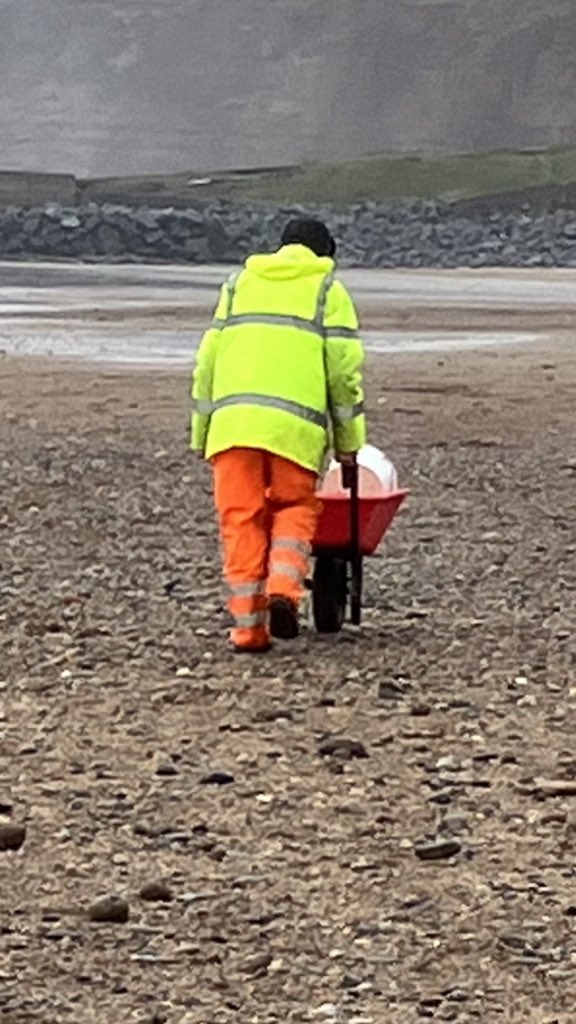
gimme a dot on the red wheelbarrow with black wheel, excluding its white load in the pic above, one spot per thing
(349, 529)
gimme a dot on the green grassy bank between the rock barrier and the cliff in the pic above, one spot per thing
(381, 177)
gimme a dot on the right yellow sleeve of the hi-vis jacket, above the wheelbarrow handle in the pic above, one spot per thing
(345, 358)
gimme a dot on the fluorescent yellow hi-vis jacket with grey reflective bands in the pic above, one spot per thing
(281, 363)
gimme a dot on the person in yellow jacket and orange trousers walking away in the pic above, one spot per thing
(277, 375)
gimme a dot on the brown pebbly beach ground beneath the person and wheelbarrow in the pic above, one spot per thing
(424, 871)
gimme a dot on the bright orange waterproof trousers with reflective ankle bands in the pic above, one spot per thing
(268, 515)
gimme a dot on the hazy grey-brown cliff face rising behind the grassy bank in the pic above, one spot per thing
(118, 88)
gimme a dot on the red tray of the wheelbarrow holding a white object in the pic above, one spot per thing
(376, 516)
